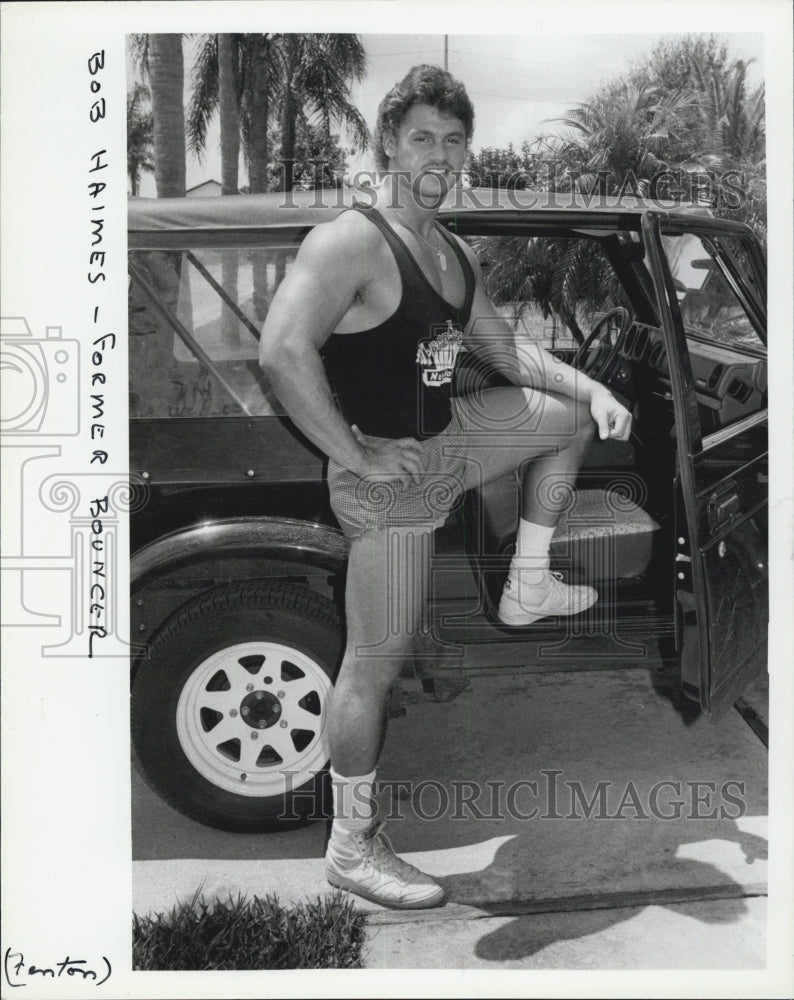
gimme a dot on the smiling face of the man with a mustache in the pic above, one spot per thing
(431, 147)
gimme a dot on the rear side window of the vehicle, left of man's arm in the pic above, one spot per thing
(194, 322)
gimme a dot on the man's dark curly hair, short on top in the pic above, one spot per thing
(421, 85)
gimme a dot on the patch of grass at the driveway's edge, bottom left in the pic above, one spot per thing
(327, 933)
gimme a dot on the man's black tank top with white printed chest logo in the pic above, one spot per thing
(395, 380)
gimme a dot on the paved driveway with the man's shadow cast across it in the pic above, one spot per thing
(533, 798)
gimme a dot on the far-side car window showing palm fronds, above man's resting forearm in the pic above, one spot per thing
(552, 289)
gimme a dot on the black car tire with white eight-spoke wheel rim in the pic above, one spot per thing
(229, 711)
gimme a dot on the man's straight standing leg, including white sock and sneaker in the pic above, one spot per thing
(386, 601)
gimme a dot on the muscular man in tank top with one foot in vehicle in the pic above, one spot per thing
(360, 346)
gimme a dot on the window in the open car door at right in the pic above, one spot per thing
(704, 279)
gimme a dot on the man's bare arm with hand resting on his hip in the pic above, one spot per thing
(308, 305)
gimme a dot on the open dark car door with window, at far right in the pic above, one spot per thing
(711, 283)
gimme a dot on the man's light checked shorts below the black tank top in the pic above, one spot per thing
(362, 505)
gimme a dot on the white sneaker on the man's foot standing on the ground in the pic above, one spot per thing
(364, 863)
